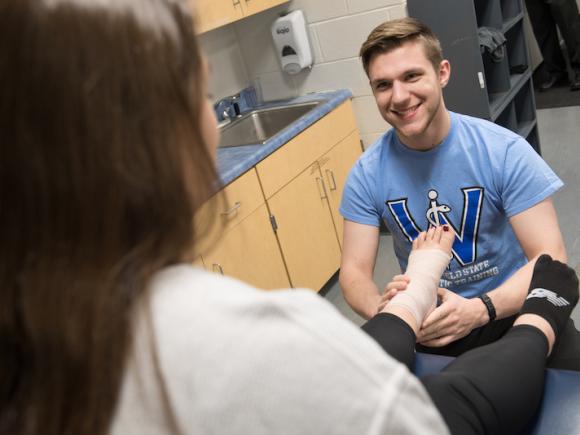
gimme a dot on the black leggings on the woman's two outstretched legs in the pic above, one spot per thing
(493, 389)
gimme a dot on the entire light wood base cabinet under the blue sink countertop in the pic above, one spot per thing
(278, 224)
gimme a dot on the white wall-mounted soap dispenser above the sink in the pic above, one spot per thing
(291, 41)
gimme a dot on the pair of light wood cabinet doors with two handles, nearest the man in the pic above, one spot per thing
(309, 226)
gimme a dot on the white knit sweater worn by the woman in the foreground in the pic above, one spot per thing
(237, 360)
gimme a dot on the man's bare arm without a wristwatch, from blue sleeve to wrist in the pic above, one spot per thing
(359, 253)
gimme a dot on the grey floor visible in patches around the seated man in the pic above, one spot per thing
(560, 142)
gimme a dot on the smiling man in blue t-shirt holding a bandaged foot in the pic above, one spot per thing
(434, 168)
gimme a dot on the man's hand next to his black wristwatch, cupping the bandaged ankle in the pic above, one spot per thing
(453, 319)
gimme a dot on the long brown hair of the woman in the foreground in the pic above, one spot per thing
(102, 167)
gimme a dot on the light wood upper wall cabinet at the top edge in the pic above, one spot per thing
(211, 14)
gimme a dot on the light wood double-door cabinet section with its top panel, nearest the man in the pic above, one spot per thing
(302, 183)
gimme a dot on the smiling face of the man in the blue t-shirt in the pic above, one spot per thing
(408, 92)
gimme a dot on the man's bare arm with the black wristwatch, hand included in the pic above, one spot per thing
(538, 232)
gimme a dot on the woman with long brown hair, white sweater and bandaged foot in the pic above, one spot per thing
(107, 144)
